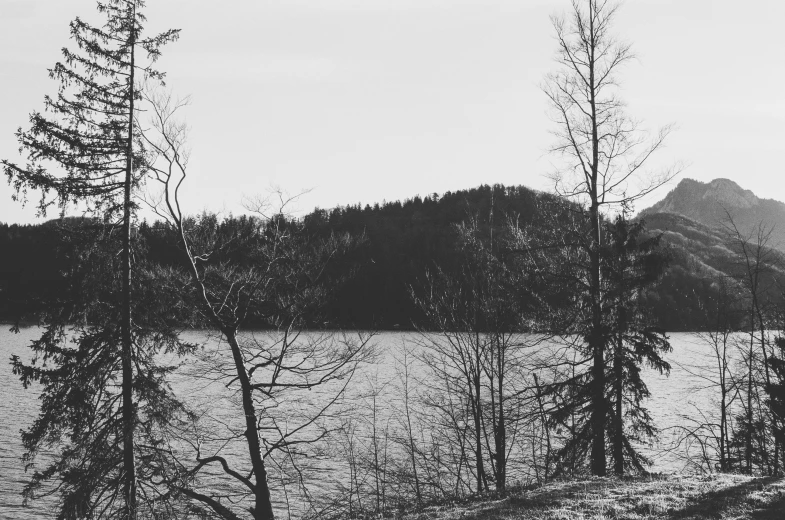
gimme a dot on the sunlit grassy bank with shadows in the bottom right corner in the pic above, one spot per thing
(715, 497)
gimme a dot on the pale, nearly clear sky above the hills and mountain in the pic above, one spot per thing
(362, 101)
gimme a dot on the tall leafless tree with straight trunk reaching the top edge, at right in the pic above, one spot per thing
(605, 156)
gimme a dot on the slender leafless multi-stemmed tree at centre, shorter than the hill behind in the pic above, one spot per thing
(480, 311)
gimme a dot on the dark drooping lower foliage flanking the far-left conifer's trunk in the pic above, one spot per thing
(77, 361)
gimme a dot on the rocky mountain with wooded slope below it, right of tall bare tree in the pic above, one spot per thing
(692, 220)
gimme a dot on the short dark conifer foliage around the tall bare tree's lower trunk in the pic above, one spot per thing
(630, 264)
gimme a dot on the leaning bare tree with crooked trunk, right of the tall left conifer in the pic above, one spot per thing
(263, 269)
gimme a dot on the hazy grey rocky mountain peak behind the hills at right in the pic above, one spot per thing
(710, 204)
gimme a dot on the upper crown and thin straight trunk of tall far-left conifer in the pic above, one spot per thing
(85, 150)
